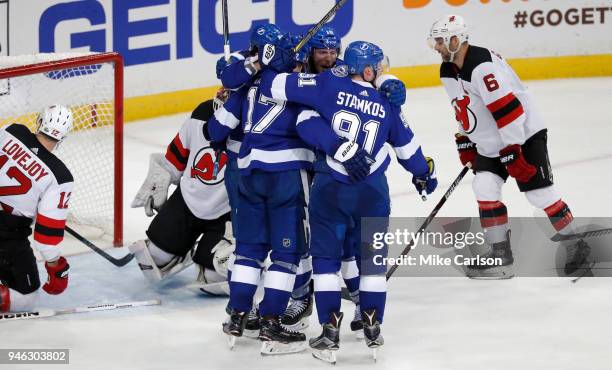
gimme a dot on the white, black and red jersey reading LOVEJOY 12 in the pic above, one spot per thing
(35, 184)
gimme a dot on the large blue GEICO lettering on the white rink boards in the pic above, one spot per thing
(167, 40)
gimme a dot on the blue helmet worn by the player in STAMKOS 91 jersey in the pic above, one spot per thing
(361, 54)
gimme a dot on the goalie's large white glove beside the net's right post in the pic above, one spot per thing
(154, 191)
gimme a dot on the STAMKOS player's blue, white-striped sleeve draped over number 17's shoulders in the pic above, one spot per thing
(301, 88)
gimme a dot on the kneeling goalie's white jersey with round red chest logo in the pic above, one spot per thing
(192, 156)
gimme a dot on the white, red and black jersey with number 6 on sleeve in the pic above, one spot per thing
(490, 103)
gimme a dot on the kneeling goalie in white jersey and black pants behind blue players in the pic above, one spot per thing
(198, 207)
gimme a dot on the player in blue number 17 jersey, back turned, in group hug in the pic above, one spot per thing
(271, 215)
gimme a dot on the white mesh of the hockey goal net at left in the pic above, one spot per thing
(88, 151)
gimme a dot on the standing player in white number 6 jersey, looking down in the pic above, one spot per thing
(500, 134)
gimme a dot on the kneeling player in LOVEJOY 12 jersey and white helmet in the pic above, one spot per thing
(34, 185)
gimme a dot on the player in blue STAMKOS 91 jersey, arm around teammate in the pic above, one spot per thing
(342, 192)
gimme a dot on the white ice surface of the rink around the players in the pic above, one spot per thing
(430, 323)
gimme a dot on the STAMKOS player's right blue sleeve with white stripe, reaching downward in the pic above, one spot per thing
(406, 146)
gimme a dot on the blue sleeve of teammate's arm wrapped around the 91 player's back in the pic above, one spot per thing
(317, 132)
